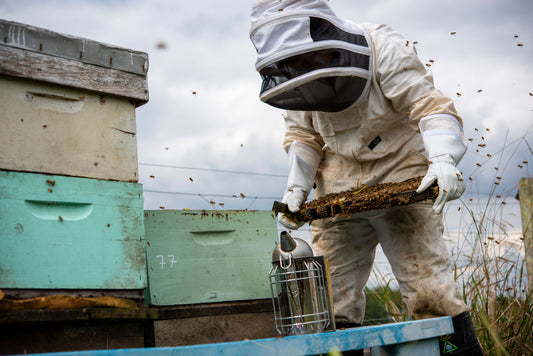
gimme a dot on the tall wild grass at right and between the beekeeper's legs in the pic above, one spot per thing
(489, 266)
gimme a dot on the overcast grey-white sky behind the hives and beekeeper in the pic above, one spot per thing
(204, 117)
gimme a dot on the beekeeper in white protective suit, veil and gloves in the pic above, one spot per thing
(361, 110)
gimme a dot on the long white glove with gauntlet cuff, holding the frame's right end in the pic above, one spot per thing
(444, 143)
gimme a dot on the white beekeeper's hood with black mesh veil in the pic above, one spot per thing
(308, 58)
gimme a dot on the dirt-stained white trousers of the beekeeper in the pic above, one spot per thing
(411, 238)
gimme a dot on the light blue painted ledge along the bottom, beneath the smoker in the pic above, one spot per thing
(415, 337)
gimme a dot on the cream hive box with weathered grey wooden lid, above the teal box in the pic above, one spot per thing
(67, 104)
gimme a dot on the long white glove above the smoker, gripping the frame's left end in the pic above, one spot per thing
(303, 163)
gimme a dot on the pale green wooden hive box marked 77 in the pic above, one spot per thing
(198, 256)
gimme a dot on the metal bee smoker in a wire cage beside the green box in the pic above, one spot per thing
(300, 288)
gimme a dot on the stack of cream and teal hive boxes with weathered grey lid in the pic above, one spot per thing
(71, 211)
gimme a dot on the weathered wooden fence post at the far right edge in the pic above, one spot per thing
(525, 188)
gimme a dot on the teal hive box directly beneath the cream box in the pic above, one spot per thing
(61, 232)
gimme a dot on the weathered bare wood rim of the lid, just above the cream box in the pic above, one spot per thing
(25, 64)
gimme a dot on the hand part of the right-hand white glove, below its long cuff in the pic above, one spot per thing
(451, 184)
